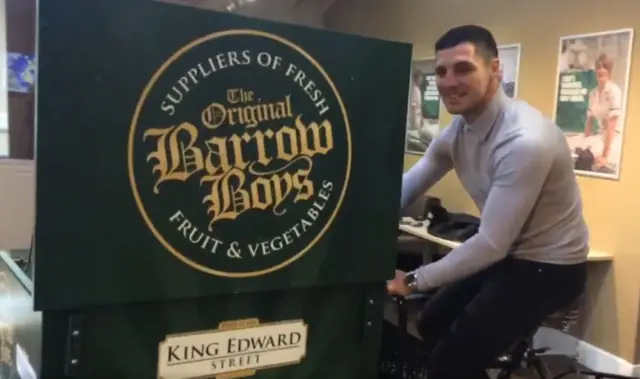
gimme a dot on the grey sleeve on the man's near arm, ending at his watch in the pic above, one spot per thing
(520, 172)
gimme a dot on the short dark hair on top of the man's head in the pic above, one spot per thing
(476, 35)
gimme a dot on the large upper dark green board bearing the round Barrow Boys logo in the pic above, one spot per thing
(183, 153)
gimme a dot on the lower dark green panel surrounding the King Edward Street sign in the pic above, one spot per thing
(122, 341)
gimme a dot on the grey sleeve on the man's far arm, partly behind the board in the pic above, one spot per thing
(435, 163)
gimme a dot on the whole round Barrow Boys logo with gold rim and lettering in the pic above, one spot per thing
(239, 153)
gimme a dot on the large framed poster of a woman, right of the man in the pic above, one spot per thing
(591, 99)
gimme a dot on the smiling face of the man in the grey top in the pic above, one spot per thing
(463, 77)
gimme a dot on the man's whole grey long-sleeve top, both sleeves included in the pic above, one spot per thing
(516, 166)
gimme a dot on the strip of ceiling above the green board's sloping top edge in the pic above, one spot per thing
(303, 12)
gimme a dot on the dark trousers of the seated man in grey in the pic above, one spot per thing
(467, 325)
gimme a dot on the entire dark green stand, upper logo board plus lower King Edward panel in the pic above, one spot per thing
(205, 179)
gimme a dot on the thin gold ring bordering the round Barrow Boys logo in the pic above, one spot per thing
(130, 148)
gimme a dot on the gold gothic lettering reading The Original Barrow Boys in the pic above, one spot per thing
(248, 169)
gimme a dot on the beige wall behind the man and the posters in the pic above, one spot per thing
(611, 208)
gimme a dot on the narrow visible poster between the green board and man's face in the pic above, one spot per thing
(423, 119)
